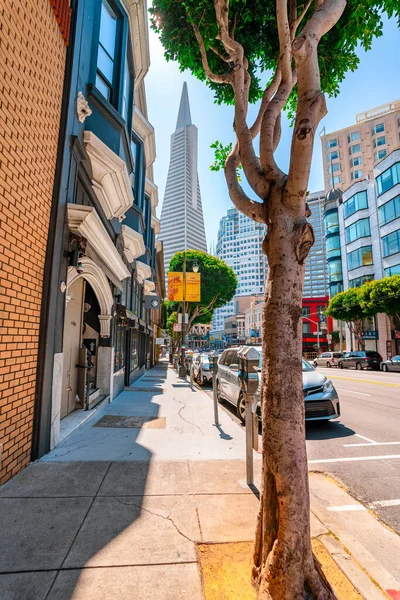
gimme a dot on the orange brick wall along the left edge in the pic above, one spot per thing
(32, 60)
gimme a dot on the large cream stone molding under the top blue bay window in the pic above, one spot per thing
(110, 177)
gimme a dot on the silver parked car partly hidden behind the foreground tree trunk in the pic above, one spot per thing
(320, 397)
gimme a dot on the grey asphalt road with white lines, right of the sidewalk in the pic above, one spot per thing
(361, 449)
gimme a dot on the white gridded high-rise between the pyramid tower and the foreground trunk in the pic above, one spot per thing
(239, 245)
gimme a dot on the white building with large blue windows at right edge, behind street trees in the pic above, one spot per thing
(369, 226)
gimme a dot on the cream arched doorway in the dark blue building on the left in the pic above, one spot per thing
(88, 316)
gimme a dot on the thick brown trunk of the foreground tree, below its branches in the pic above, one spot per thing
(284, 566)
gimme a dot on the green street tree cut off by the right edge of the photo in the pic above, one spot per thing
(382, 296)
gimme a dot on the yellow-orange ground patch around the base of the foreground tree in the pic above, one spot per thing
(226, 571)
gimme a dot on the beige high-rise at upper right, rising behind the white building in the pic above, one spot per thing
(351, 154)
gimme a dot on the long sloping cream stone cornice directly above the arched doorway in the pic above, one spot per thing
(85, 221)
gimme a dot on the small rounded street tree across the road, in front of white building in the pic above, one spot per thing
(346, 306)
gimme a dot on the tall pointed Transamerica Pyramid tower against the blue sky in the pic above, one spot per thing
(182, 223)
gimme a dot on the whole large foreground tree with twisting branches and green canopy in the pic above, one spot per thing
(307, 46)
